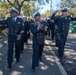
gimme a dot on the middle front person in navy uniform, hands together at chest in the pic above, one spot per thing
(39, 31)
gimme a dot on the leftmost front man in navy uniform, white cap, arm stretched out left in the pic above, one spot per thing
(16, 30)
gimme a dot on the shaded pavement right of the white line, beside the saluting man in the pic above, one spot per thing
(70, 54)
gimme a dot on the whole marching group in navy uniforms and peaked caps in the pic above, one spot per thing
(19, 30)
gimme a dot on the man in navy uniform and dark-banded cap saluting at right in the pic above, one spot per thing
(63, 23)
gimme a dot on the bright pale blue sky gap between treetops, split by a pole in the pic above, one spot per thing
(55, 5)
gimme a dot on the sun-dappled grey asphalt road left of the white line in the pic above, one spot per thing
(49, 65)
